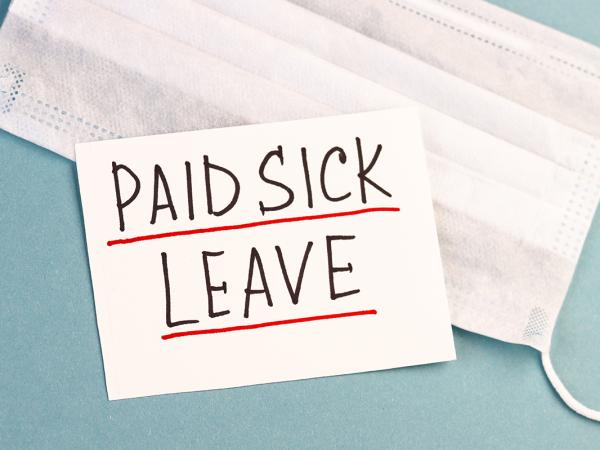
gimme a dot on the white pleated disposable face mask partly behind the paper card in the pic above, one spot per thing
(508, 112)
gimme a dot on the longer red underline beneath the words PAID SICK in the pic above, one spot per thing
(240, 226)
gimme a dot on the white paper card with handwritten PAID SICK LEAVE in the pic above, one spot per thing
(263, 253)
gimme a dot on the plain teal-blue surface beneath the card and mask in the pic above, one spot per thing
(52, 392)
